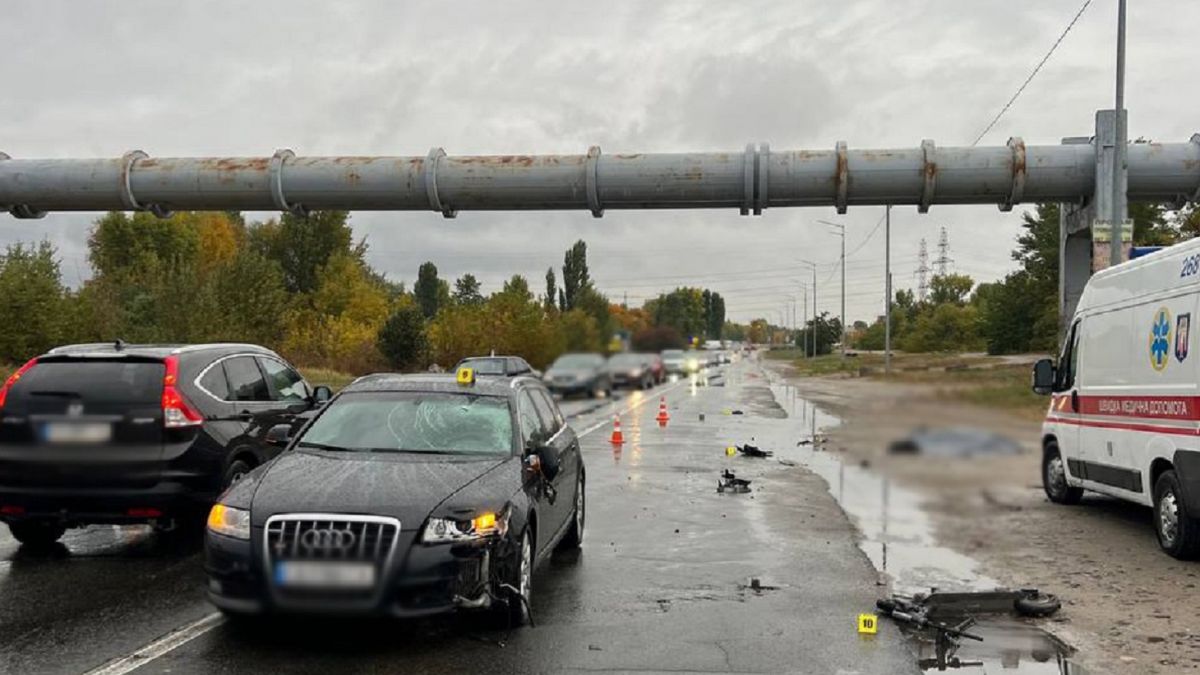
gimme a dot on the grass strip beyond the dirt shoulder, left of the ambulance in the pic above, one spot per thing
(975, 379)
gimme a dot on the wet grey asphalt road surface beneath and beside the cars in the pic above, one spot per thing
(661, 584)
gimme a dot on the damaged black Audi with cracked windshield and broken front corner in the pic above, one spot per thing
(407, 495)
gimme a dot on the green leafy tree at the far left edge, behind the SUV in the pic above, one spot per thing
(33, 302)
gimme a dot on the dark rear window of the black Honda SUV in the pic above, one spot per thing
(110, 381)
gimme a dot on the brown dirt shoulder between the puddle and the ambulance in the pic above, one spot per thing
(1129, 607)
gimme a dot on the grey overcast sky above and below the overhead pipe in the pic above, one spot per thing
(185, 79)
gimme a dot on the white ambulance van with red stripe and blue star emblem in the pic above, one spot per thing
(1125, 414)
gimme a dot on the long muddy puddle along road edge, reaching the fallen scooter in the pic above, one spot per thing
(898, 537)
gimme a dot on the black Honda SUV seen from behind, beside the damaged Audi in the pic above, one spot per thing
(121, 434)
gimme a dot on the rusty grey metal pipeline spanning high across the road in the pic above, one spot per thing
(752, 181)
